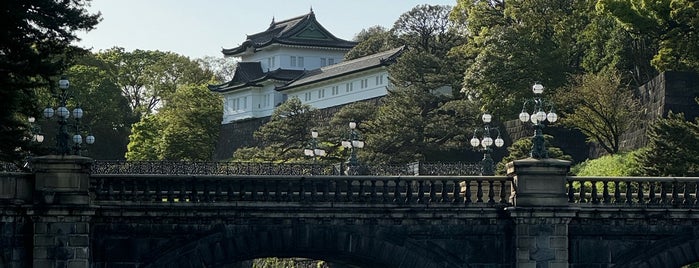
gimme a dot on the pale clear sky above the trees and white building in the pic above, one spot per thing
(198, 28)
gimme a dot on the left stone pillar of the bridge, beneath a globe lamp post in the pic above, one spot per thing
(61, 216)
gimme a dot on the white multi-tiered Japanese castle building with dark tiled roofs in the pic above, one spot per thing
(298, 57)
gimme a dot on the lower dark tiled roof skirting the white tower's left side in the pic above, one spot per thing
(249, 74)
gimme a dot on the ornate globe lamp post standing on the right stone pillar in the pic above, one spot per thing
(538, 117)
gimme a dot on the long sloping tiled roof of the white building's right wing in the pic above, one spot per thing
(347, 67)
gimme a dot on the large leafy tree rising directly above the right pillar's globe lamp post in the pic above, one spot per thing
(513, 44)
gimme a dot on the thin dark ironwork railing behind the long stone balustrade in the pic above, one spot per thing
(240, 168)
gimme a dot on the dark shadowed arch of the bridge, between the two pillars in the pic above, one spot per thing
(222, 249)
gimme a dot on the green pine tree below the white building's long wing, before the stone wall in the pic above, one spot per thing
(284, 137)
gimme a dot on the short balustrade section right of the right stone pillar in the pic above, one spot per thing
(634, 191)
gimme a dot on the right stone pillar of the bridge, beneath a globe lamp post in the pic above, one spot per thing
(541, 212)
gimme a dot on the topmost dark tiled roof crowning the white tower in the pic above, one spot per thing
(302, 30)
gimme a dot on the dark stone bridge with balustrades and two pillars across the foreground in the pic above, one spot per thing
(61, 215)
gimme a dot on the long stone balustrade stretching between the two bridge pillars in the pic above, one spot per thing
(142, 189)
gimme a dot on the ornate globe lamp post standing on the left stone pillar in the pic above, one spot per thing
(69, 138)
